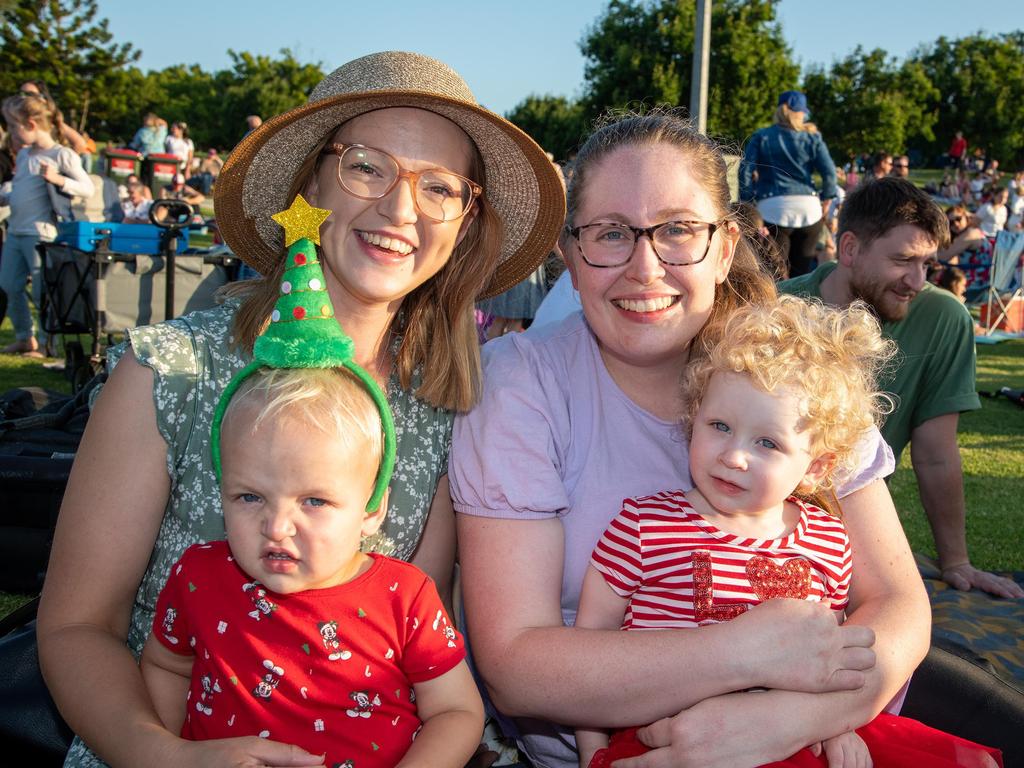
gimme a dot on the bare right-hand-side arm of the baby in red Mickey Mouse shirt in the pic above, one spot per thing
(453, 721)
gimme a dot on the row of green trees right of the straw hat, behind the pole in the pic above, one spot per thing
(638, 54)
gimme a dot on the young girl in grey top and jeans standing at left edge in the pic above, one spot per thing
(41, 163)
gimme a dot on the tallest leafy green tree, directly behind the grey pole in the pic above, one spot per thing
(641, 53)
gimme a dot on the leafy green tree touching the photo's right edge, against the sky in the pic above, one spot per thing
(979, 90)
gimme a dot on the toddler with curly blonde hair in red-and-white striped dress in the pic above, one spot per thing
(776, 411)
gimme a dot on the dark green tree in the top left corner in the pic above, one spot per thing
(63, 44)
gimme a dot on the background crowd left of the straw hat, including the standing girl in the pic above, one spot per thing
(46, 164)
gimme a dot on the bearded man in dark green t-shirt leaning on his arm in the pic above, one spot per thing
(888, 231)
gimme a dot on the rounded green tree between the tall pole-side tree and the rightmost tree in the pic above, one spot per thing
(869, 103)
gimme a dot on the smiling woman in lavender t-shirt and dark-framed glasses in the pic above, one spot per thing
(580, 415)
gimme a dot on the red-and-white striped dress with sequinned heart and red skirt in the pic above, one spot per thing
(679, 571)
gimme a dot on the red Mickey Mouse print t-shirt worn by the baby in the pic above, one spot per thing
(332, 671)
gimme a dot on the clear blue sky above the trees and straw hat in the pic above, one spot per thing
(505, 51)
